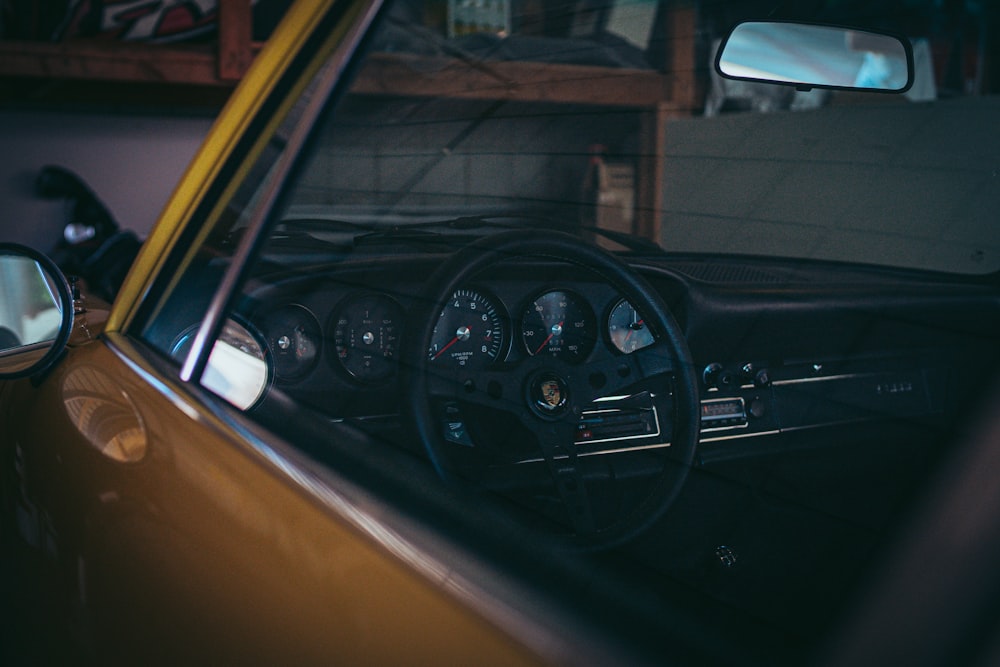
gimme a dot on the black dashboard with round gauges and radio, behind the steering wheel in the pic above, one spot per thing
(779, 350)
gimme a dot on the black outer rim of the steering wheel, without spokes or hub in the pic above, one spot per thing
(462, 267)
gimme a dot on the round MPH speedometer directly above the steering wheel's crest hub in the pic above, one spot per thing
(560, 324)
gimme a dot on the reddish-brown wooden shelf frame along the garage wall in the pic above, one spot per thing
(658, 94)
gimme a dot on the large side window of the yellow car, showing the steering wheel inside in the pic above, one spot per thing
(620, 223)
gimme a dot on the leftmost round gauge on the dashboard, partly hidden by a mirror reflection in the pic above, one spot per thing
(293, 336)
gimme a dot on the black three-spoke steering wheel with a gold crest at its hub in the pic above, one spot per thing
(547, 395)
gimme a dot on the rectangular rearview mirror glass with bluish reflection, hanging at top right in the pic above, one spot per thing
(815, 56)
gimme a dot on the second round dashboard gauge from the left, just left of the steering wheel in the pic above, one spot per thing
(366, 336)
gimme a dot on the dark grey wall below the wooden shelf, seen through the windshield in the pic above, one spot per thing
(474, 154)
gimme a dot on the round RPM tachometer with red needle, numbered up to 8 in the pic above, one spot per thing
(469, 332)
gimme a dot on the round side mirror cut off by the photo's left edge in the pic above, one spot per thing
(36, 312)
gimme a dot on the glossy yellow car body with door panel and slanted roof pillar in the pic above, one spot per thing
(235, 561)
